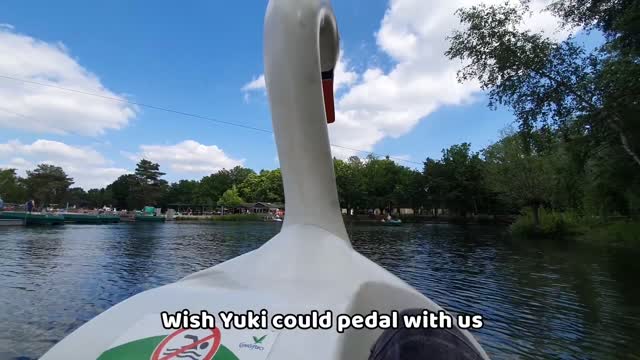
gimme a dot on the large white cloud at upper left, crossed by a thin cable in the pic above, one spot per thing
(48, 110)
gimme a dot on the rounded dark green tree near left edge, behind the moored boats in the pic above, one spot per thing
(48, 184)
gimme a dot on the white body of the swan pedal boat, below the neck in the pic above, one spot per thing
(267, 278)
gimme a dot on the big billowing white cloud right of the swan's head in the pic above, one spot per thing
(377, 104)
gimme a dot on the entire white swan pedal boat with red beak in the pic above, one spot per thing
(309, 265)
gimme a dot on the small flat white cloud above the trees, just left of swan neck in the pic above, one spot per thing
(187, 157)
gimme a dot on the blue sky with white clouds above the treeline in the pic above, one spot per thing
(397, 94)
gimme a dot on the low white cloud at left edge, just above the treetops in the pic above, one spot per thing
(87, 167)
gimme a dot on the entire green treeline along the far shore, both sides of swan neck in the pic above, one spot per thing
(557, 171)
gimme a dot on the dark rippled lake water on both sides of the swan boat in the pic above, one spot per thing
(540, 300)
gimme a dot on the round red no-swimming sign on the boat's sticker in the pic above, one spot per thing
(201, 344)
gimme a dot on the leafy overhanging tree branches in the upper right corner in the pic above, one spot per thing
(548, 83)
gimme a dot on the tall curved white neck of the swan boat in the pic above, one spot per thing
(294, 84)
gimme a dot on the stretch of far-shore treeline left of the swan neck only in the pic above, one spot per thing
(49, 185)
